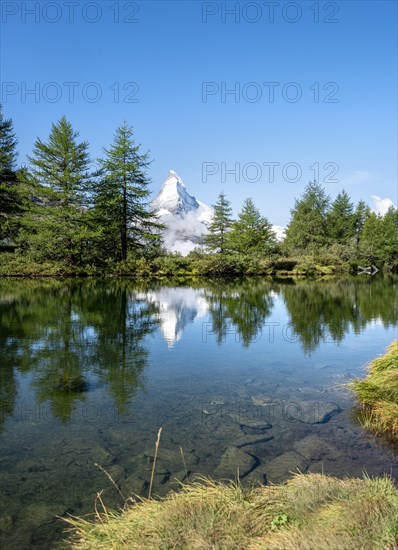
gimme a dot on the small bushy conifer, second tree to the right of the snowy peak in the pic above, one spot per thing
(251, 232)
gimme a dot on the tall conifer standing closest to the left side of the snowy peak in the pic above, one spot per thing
(122, 210)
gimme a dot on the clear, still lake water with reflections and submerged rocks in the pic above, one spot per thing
(244, 376)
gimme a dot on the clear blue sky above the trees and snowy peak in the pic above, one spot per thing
(347, 122)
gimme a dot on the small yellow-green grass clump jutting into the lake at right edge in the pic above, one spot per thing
(378, 394)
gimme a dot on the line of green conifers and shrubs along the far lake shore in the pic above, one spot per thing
(65, 214)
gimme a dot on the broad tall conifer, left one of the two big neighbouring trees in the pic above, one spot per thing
(57, 225)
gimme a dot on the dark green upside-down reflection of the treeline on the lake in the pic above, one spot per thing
(77, 334)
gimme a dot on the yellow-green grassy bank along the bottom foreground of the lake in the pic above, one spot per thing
(309, 511)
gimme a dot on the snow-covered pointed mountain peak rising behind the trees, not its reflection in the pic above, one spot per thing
(186, 218)
